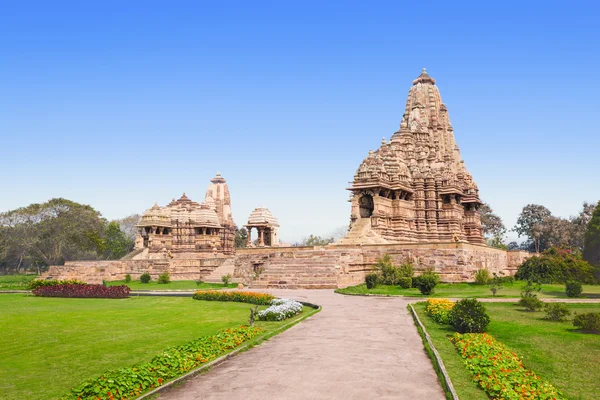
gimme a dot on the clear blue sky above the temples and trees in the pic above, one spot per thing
(120, 104)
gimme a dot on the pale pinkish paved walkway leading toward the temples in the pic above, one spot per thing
(355, 348)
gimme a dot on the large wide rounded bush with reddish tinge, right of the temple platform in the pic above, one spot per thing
(556, 266)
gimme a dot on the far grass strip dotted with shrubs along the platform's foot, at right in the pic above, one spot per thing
(461, 290)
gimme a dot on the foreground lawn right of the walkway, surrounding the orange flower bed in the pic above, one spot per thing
(566, 358)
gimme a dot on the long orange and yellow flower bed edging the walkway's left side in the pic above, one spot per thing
(128, 383)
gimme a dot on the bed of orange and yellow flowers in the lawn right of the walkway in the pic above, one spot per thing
(499, 371)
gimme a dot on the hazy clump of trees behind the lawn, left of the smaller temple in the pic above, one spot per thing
(59, 230)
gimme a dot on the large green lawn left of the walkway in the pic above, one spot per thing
(50, 345)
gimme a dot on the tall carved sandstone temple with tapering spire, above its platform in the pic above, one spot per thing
(416, 188)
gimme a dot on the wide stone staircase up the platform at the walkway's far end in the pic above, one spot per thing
(309, 270)
